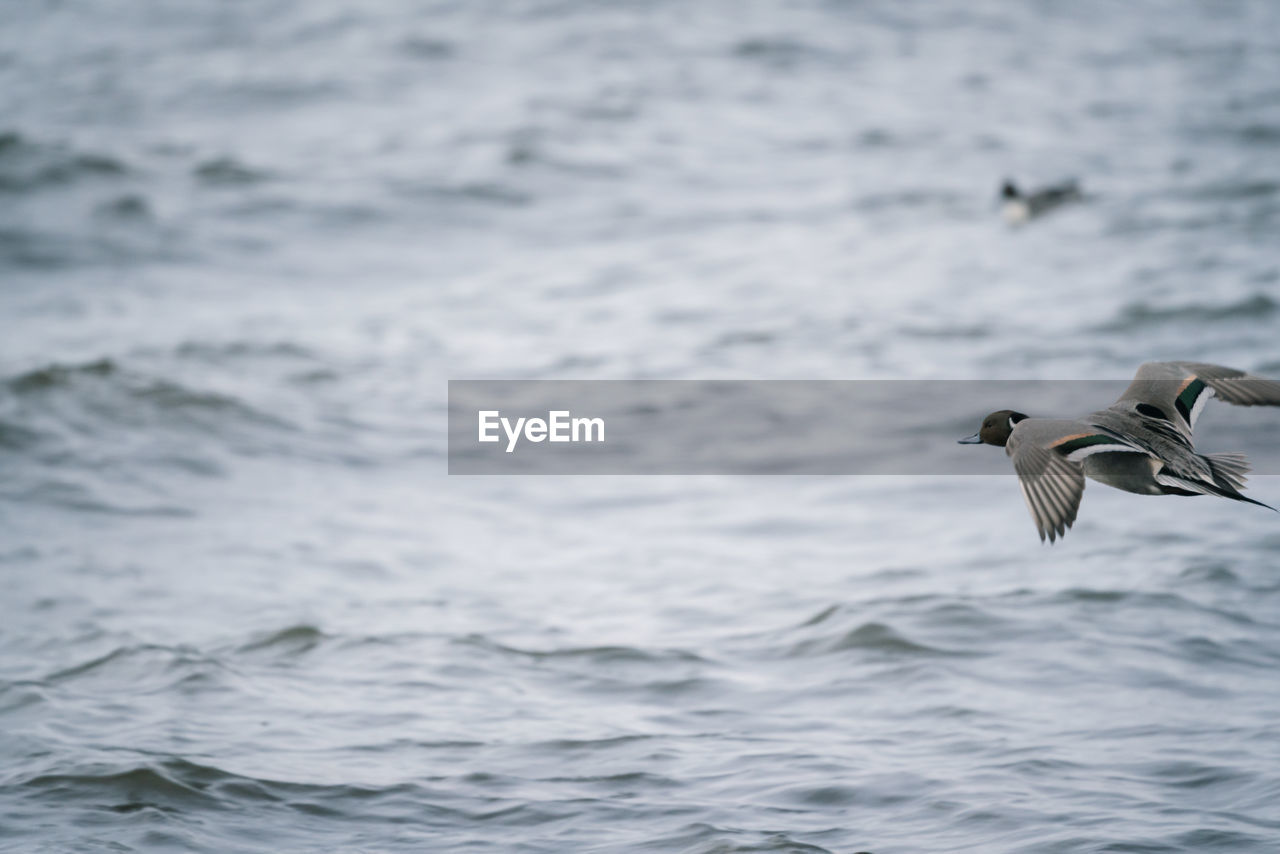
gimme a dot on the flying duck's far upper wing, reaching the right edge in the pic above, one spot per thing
(1177, 392)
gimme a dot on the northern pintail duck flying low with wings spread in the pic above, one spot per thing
(1142, 444)
